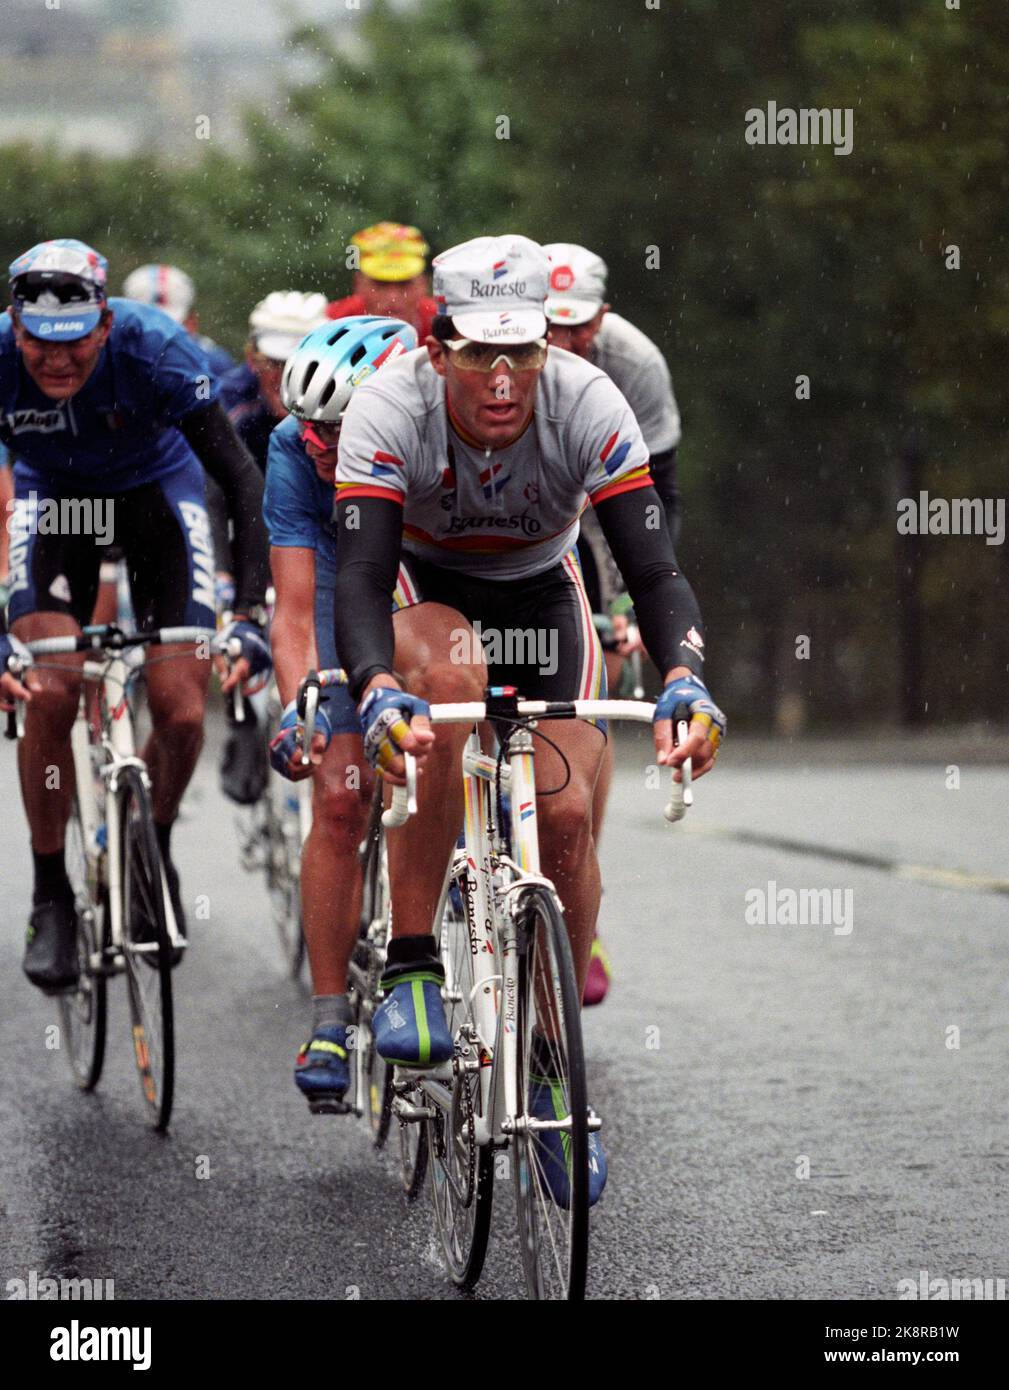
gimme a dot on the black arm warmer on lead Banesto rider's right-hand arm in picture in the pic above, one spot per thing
(664, 601)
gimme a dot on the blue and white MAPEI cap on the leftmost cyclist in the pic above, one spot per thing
(59, 290)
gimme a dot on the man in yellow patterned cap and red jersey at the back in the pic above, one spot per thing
(391, 279)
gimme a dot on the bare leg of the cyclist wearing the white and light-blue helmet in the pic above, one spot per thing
(331, 881)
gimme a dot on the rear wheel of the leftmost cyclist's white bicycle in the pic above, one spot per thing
(84, 1013)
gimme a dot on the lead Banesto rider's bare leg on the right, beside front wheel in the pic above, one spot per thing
(566, 837)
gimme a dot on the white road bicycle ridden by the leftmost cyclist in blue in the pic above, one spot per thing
(124, 915)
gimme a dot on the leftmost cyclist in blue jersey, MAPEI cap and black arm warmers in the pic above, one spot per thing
(112, 414)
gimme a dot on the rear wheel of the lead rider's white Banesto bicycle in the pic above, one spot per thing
(462, 1171)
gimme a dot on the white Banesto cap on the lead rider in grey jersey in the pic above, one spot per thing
(494, 288)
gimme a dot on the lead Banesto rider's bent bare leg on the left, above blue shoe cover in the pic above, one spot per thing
(420, 850)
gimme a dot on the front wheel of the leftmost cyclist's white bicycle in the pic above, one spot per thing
(147, 950)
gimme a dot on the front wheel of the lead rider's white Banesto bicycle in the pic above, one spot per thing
(551, 1166)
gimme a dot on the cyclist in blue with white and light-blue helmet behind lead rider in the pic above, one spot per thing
(300, 514)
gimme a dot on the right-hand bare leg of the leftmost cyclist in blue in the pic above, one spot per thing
(177, 697)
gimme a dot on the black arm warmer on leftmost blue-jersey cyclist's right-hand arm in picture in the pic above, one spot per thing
(215, 443)
